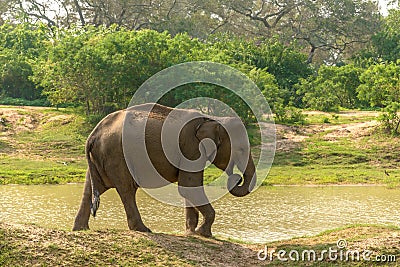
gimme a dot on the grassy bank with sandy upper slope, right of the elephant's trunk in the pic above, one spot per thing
(344, 148)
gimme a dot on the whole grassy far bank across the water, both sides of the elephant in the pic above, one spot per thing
(44, 145)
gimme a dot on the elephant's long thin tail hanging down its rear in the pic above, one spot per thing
(94, 175)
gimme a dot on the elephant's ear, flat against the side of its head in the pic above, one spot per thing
(209, 129)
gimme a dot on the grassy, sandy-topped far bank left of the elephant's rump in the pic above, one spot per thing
(41, 145)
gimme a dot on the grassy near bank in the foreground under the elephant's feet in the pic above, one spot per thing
(22, 245)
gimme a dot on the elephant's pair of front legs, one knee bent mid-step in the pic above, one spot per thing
(191, 188)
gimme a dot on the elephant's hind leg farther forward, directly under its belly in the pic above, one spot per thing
(128, 198)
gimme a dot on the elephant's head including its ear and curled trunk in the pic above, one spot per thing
(231, 149)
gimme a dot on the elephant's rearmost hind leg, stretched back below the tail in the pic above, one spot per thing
(82, 217)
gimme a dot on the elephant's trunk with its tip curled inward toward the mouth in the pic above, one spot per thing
(249, 182)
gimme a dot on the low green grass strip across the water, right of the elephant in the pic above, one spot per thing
(322, 162)
